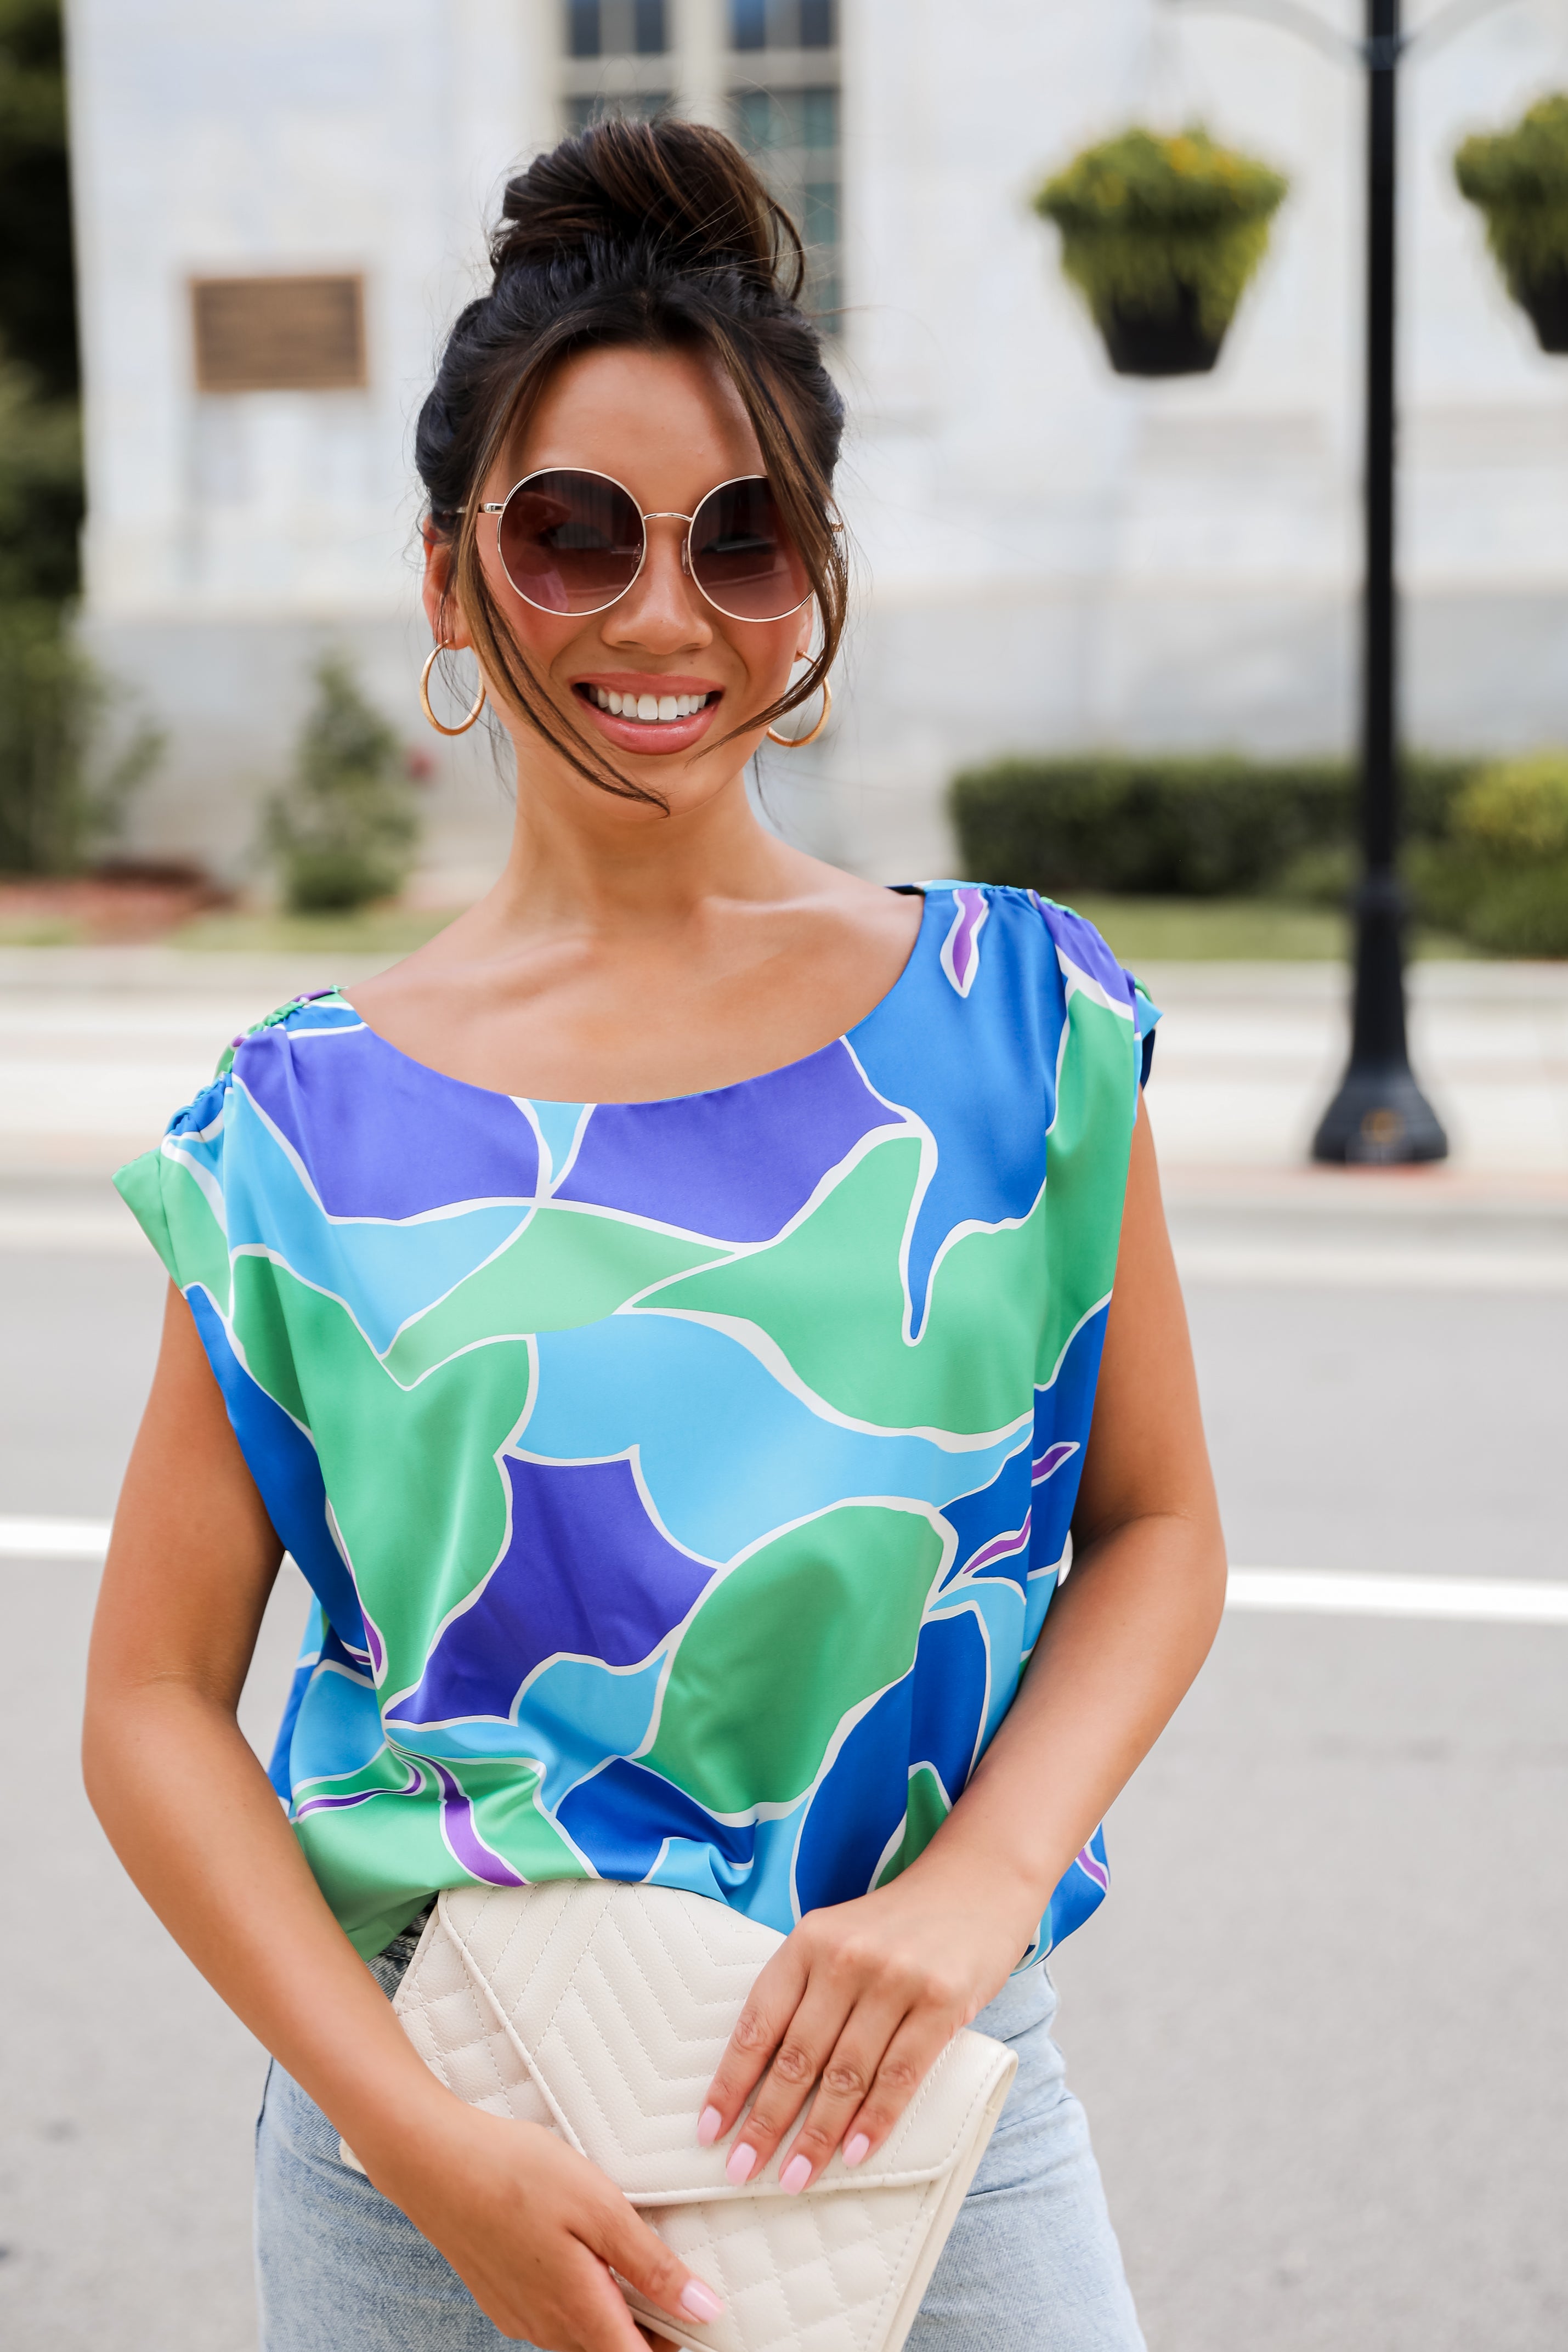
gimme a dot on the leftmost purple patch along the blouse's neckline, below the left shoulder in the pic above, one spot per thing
(377, 1132)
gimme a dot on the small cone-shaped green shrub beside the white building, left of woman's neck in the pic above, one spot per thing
(344, 829)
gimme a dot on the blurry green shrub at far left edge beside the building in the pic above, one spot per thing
(72, 754)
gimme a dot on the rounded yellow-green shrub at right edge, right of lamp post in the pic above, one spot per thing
(1501, 876)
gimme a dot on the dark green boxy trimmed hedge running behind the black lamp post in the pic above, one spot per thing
(1179, 829)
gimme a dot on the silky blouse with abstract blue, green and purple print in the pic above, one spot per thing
(683, 1485)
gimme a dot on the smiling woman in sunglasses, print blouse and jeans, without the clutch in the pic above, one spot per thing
(662, 1318)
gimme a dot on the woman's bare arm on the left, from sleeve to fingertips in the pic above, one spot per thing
(528, 2224)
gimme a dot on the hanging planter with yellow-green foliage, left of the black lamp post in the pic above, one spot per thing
(1162, 236)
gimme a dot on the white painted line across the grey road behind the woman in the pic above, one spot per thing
(1480, 1601)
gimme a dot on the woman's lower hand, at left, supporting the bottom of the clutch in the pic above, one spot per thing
(535, 2231)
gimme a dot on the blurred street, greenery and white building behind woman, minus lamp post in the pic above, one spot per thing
(1094, 290)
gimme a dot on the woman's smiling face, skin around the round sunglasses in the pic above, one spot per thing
(669, 427)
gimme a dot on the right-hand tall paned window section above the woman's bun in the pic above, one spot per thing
(786, 114)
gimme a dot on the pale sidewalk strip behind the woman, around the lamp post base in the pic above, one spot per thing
(100, 1045)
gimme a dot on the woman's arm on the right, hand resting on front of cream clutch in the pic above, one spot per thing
(869, 1993)
